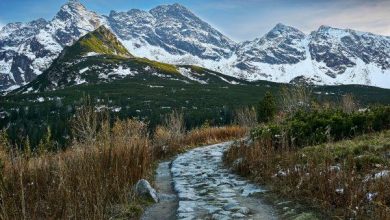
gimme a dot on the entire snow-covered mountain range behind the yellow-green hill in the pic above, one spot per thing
(173, 34)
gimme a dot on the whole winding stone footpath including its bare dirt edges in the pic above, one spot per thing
(196, 185)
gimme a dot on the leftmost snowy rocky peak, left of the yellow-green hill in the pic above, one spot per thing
(27, 49)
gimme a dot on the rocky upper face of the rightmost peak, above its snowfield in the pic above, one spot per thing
(339, 49)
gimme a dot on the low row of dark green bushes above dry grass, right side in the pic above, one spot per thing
(310, 128)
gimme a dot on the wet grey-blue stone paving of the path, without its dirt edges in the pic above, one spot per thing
(207, 190)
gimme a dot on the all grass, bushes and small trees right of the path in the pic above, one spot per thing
(331, 157)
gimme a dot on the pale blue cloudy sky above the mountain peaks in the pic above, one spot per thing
(238, 19)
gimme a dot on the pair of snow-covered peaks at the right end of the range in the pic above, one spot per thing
(327, 56)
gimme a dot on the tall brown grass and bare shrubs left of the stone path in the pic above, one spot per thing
(90, 178)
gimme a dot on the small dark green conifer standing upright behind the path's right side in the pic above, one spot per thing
(266, 108)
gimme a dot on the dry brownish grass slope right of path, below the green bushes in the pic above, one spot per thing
(340, 179)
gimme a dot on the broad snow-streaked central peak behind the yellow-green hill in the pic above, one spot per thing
(169, 32)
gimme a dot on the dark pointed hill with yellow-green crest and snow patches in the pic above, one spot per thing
(99, 57)
